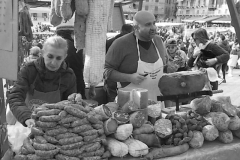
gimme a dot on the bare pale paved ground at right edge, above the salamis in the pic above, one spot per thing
(232, 87)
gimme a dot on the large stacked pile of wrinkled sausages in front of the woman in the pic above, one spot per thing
(65, 130)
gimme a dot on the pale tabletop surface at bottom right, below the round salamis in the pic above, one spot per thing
(209, 151)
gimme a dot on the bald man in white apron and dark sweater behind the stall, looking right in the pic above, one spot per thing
(137, 59)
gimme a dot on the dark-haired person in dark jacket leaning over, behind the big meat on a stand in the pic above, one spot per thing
(206, 46)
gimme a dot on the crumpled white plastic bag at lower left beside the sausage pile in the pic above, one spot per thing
(16, 135)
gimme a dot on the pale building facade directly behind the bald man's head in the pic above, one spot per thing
(164, 10)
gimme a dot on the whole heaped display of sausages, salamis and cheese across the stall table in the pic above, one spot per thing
(135, 128)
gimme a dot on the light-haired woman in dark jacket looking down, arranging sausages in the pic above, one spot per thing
(45, 80)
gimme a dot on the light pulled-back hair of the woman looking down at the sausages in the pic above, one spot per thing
(56, 42)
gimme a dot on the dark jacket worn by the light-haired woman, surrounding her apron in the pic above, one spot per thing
(48, 81)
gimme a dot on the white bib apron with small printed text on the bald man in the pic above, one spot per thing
(154, 71)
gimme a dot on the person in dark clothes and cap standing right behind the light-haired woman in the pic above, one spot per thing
(74, 59)
